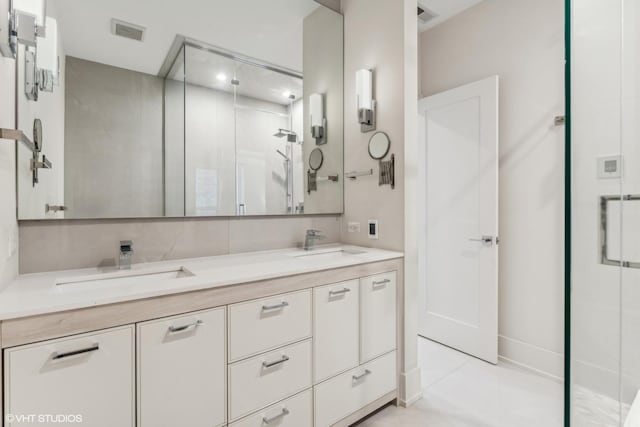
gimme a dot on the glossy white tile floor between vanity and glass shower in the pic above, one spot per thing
(461, 391)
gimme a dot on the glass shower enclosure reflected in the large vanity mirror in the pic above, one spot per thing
(243, 137)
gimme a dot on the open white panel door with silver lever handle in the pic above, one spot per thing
(459, 292)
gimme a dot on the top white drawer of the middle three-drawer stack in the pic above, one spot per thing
(264, 324)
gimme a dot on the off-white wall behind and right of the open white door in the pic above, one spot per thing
(522, 42)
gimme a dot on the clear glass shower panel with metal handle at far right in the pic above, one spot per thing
(605, 245)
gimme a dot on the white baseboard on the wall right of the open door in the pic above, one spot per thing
(542, 361)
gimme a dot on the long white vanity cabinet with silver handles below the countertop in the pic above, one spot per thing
(310, 350)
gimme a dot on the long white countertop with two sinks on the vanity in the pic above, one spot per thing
(35, 294)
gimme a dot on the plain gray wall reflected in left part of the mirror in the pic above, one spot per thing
(113, 142)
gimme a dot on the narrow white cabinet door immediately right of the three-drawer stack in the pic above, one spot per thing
(336, 329)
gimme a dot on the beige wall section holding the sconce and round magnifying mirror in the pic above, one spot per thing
(381, 35)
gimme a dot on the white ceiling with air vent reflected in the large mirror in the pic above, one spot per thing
(269, 30)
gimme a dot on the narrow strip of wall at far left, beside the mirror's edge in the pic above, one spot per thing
(8, 223)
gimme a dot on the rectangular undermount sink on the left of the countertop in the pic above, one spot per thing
(128, 277)
